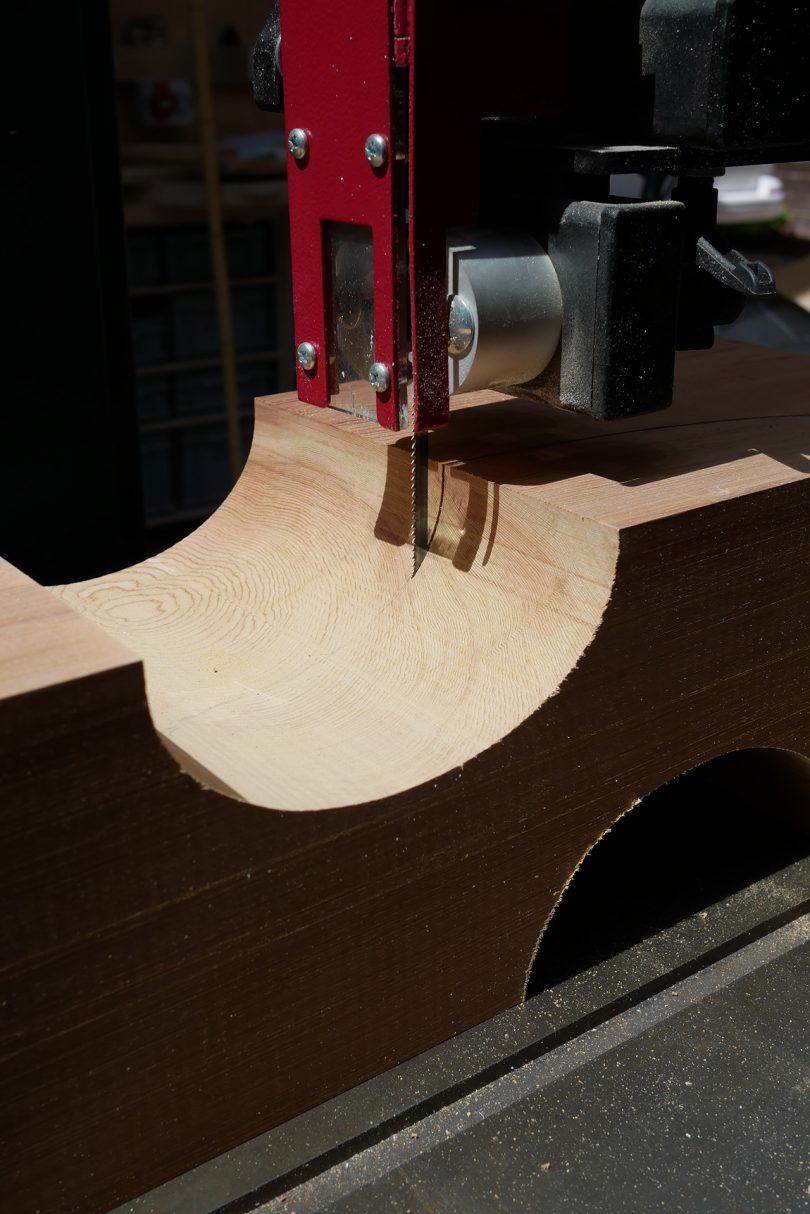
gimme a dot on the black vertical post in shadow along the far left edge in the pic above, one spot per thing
(70, 473)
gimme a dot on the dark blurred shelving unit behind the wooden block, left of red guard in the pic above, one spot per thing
(178, 367)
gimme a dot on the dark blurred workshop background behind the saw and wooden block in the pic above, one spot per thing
(148, 262)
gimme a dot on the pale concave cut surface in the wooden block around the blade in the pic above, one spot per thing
(291, 657)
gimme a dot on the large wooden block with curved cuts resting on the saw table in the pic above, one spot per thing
(277, 815)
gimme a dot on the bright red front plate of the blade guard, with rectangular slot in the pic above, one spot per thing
(338, 88)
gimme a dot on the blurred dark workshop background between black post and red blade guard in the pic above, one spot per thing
(189, 452)
